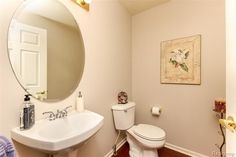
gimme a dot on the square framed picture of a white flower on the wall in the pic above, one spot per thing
(181, 61)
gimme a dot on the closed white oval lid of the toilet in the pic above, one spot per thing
(149, 132)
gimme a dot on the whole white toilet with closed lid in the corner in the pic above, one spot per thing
(143, 139)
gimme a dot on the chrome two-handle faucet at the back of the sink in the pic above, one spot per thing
(59, 114)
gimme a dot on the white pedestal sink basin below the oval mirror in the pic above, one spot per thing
(61, 133)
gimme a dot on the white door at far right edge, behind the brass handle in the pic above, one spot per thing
(231, 73)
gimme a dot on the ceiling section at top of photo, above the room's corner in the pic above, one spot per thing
(137, 6)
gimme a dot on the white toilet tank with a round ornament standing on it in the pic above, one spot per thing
(123, 115)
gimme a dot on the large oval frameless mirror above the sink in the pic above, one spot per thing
(46, 49)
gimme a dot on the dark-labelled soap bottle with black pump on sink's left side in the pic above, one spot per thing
(27, 115)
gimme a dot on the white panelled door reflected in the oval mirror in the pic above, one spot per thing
(28, 55)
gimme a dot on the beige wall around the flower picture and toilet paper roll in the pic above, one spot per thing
(187, 115)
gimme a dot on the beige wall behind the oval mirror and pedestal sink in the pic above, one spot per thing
(106, 31)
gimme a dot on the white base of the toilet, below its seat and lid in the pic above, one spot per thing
(137, 150)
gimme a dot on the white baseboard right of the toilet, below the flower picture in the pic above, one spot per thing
(184, 151)
